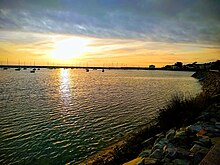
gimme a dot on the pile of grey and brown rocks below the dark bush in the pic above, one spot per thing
(185, 145)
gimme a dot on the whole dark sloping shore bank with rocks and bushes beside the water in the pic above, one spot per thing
(184, 142)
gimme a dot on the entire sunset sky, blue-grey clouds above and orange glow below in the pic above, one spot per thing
(109, 32)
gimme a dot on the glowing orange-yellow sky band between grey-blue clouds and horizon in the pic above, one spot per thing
(56, 49)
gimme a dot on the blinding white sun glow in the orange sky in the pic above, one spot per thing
(69, 48)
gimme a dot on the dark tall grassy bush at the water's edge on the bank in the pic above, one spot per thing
(181, 111)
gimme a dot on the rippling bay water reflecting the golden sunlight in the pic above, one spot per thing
(63, 116)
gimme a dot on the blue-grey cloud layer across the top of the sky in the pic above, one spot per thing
(162, 20)
